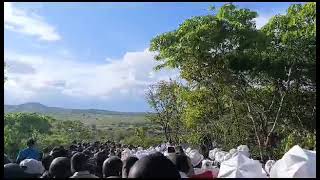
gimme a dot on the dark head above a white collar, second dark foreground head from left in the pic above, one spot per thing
(79, 162)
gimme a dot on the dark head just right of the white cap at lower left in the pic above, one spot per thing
(60, 168)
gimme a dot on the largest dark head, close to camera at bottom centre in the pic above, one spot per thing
(154, 166)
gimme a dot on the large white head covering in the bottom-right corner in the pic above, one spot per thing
(296, 163)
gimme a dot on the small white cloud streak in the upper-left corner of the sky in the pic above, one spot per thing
(26, 22)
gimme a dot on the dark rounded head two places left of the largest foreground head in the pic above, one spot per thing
(112, 167)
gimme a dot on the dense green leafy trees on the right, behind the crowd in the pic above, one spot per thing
(245, 85)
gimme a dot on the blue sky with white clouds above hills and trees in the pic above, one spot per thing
(94, 55)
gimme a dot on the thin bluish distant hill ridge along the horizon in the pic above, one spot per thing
(40, 108)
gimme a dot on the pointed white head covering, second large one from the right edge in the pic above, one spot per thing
(241, 166)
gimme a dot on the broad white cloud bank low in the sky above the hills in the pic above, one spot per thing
(127, 77)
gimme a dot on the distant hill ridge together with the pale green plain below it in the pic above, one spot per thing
(103, 119)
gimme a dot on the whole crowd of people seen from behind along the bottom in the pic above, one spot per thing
(115, 160)
